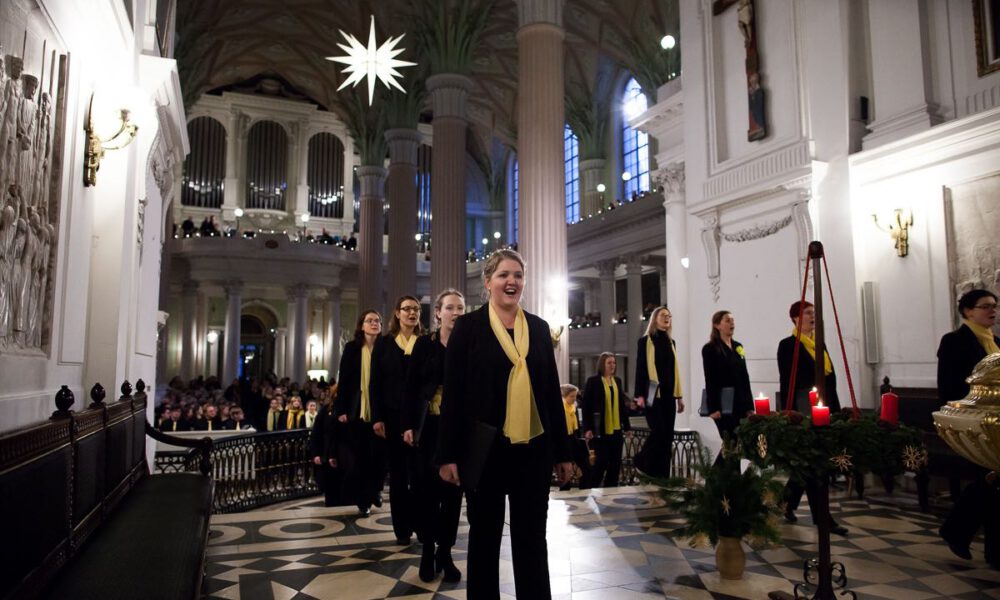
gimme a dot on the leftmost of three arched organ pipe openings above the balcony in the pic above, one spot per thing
(205, 167)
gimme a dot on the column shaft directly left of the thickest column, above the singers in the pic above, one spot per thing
(449, 246)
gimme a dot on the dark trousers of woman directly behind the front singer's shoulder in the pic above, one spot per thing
(439, 504)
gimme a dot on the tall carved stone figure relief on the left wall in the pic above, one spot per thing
(33, 76)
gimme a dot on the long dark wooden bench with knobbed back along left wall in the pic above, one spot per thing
(82, 516)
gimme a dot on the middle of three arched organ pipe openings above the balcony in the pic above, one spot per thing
(267, 166)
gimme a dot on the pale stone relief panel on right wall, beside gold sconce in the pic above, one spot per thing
(974, 259)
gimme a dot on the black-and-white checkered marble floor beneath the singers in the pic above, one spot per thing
(603, 544)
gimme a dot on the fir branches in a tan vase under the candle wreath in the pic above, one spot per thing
(724, 505)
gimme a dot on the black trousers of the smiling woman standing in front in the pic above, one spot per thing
(521, 475)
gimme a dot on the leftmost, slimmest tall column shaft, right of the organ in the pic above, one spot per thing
(370, 287)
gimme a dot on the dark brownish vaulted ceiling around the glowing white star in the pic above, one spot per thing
(223, 43)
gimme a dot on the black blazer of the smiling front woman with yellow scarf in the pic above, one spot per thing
(475, 386)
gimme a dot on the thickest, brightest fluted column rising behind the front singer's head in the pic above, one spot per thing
(541, 186)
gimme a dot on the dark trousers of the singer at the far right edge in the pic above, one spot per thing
(976, 507)
